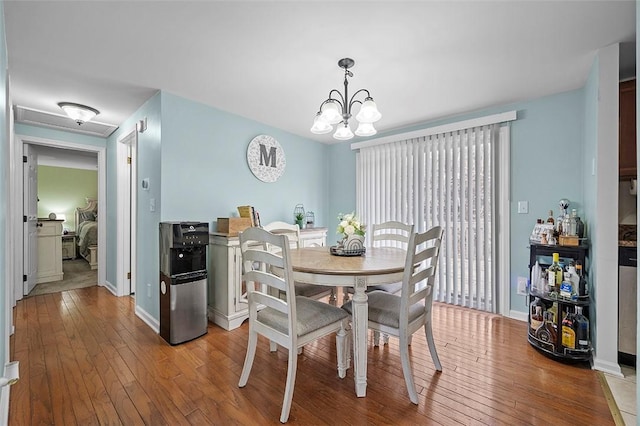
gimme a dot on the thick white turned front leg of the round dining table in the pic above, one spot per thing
(360, 321)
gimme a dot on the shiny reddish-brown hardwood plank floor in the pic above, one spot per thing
(85, 358)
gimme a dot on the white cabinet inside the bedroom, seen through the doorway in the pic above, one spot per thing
(49, 251)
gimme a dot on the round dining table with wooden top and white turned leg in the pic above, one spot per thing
(316, 265)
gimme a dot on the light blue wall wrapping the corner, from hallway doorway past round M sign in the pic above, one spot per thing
(195, 158)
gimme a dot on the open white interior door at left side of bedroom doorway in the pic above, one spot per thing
(30, 213)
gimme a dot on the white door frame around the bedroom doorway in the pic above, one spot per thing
(16, 203)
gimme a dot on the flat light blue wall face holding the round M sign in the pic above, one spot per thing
(205, 173)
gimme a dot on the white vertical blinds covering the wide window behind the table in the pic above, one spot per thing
(448, 180)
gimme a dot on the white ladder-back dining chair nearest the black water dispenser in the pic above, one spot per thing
(291, 322)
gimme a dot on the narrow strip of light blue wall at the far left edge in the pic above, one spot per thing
(4, 194)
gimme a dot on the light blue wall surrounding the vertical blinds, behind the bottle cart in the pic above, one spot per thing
(546, 165)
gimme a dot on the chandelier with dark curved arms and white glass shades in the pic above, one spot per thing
(337, 110)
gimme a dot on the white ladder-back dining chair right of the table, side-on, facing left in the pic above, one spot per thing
(404, 314)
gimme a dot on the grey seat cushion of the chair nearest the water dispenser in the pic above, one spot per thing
(311, 316)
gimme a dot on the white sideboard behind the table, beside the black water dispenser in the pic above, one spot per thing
(227, 301)
